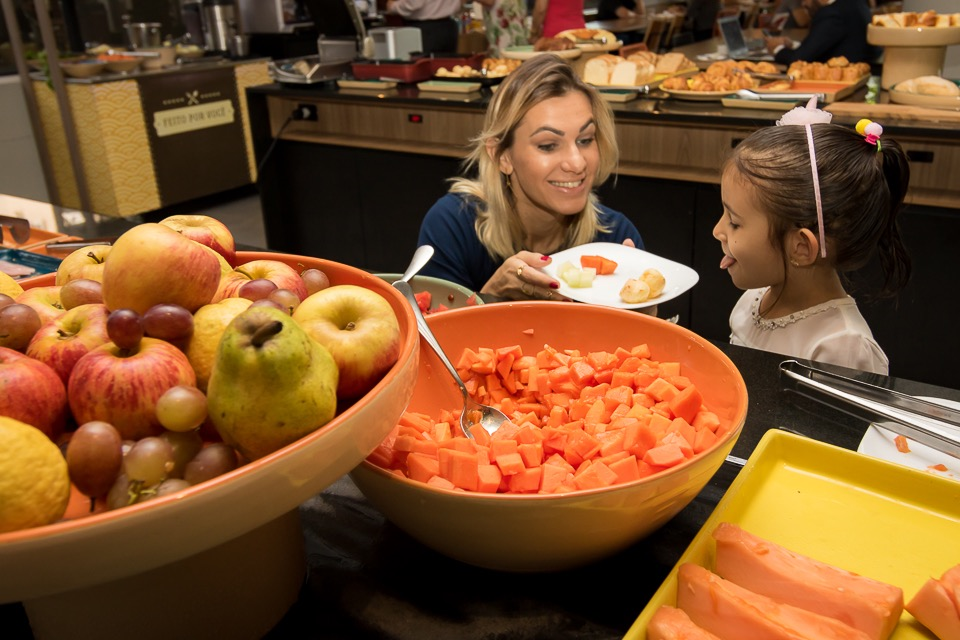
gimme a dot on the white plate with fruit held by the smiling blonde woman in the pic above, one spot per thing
(630, 264)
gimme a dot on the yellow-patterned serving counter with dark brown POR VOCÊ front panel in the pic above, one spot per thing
(150, 139)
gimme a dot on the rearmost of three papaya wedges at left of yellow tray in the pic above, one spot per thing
(769, 569)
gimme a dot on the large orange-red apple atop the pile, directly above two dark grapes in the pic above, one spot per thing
(151, 263)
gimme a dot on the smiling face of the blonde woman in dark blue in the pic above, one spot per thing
(554, 157)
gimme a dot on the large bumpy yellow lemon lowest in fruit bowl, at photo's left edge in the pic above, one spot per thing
(34, 482)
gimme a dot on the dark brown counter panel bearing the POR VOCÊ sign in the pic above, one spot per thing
(195, 130)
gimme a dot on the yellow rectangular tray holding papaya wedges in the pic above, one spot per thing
(869, 516)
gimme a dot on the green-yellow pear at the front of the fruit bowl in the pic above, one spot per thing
(270, 383)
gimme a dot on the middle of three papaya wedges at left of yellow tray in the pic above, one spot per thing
(730, 611)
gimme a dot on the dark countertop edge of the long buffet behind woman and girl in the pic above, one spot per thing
(643, 109)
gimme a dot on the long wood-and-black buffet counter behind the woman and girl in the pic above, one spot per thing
(353, 185)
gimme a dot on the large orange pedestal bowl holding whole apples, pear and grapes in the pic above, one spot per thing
(134, 564)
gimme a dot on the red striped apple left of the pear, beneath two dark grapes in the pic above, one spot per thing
(122, 386)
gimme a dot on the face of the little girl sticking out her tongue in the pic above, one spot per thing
(744, 234)
